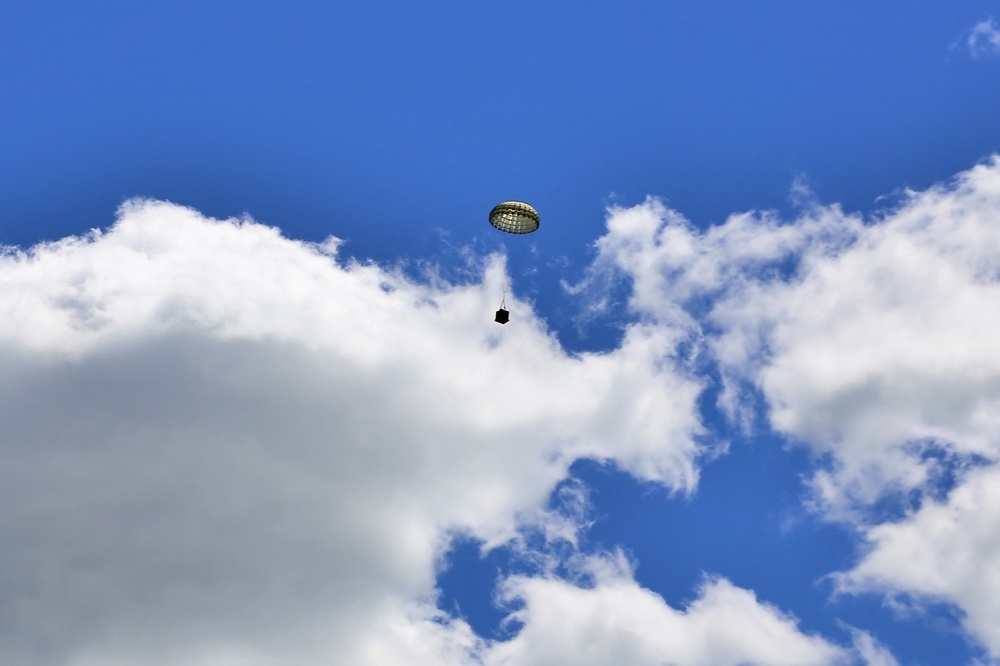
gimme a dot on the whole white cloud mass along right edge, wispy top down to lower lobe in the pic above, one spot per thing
(873, 342)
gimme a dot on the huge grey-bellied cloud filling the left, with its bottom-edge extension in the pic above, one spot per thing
(222, 446)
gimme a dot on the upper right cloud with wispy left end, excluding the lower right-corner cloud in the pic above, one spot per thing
(869, 343)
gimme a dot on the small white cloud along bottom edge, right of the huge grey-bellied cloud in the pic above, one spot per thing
(615, 621)
